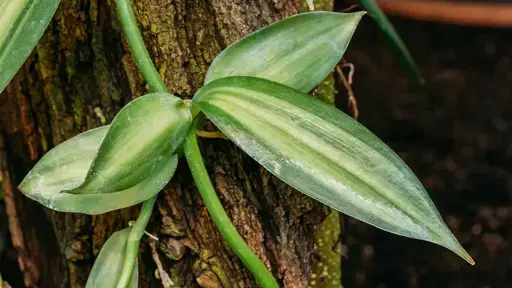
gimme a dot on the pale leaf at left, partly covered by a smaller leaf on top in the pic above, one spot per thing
(65, 167)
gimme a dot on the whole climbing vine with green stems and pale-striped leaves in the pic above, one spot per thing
(255, 93)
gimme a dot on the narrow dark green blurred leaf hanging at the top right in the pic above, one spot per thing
(394, 39)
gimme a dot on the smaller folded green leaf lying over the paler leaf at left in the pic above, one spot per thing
(142, 136)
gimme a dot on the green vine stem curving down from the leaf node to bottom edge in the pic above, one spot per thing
(219, 216)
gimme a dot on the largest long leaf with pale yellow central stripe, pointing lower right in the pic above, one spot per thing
(325, 154)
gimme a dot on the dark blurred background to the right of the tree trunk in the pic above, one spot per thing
(456, 137)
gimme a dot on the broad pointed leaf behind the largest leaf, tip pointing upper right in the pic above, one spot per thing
(298, 51)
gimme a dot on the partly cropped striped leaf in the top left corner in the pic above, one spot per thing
(22, 23)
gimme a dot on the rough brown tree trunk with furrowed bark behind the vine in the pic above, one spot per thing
(80, 74)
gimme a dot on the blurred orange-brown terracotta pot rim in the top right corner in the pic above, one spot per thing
(474, 13)
